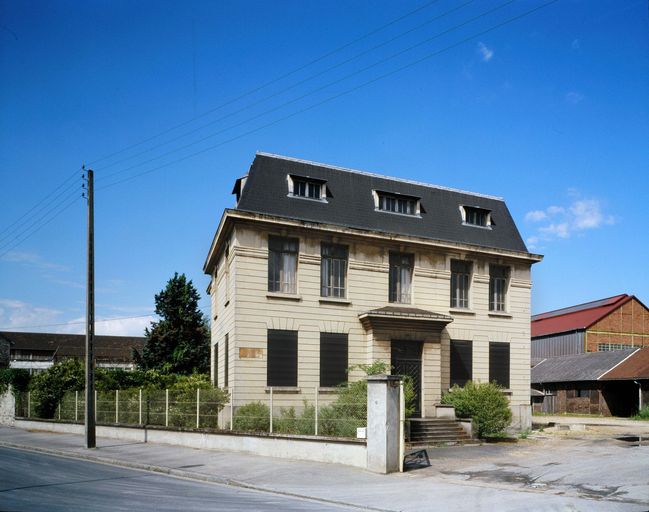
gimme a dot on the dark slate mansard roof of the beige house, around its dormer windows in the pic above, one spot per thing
(350, 203)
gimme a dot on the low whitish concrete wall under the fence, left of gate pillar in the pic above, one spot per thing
(350, 453)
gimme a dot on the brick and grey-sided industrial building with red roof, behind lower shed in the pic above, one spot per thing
(615, 323)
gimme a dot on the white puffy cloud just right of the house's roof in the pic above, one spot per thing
(559, 222)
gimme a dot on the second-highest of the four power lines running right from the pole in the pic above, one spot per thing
(286, 89)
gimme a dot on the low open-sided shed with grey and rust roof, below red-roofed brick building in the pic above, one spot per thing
(611, 383)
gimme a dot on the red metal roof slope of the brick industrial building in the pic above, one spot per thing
(577, 317)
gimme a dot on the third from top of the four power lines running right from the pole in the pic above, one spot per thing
(318, 89)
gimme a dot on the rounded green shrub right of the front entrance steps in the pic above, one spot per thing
(484, 403)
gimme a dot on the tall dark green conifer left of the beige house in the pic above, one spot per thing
(180, 341)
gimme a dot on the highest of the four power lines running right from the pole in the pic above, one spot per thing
(271, 82)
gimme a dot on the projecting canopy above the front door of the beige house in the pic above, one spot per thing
(396, 318)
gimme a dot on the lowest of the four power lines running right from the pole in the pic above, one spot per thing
(336, 96)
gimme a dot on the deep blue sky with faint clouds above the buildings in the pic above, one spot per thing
(549, 111)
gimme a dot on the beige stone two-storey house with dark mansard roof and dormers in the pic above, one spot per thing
(320, 268)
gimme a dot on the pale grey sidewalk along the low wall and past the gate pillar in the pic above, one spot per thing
(417, 490)
